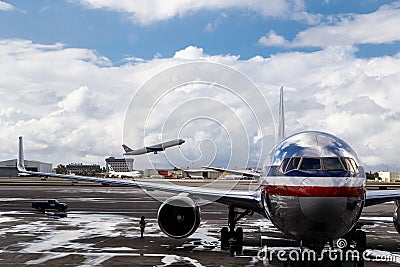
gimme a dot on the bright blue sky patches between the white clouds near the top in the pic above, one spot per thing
(115, 35)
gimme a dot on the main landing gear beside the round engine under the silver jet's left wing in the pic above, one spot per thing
(230, 233)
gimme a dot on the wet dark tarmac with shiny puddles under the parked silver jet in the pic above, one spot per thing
(101, 229)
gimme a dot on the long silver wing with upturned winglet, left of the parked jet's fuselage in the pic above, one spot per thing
(241, 199)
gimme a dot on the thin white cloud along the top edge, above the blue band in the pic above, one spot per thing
(149, 11)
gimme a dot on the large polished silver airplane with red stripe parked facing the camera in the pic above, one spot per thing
(314, 191)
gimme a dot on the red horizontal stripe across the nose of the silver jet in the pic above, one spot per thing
(313, 191)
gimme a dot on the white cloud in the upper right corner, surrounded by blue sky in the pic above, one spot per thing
(345, 30)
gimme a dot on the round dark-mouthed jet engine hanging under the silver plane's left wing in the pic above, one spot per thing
(179, 217)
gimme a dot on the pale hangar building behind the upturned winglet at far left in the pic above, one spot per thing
(8, 168)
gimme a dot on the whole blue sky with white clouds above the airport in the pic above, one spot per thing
(69, 70)
